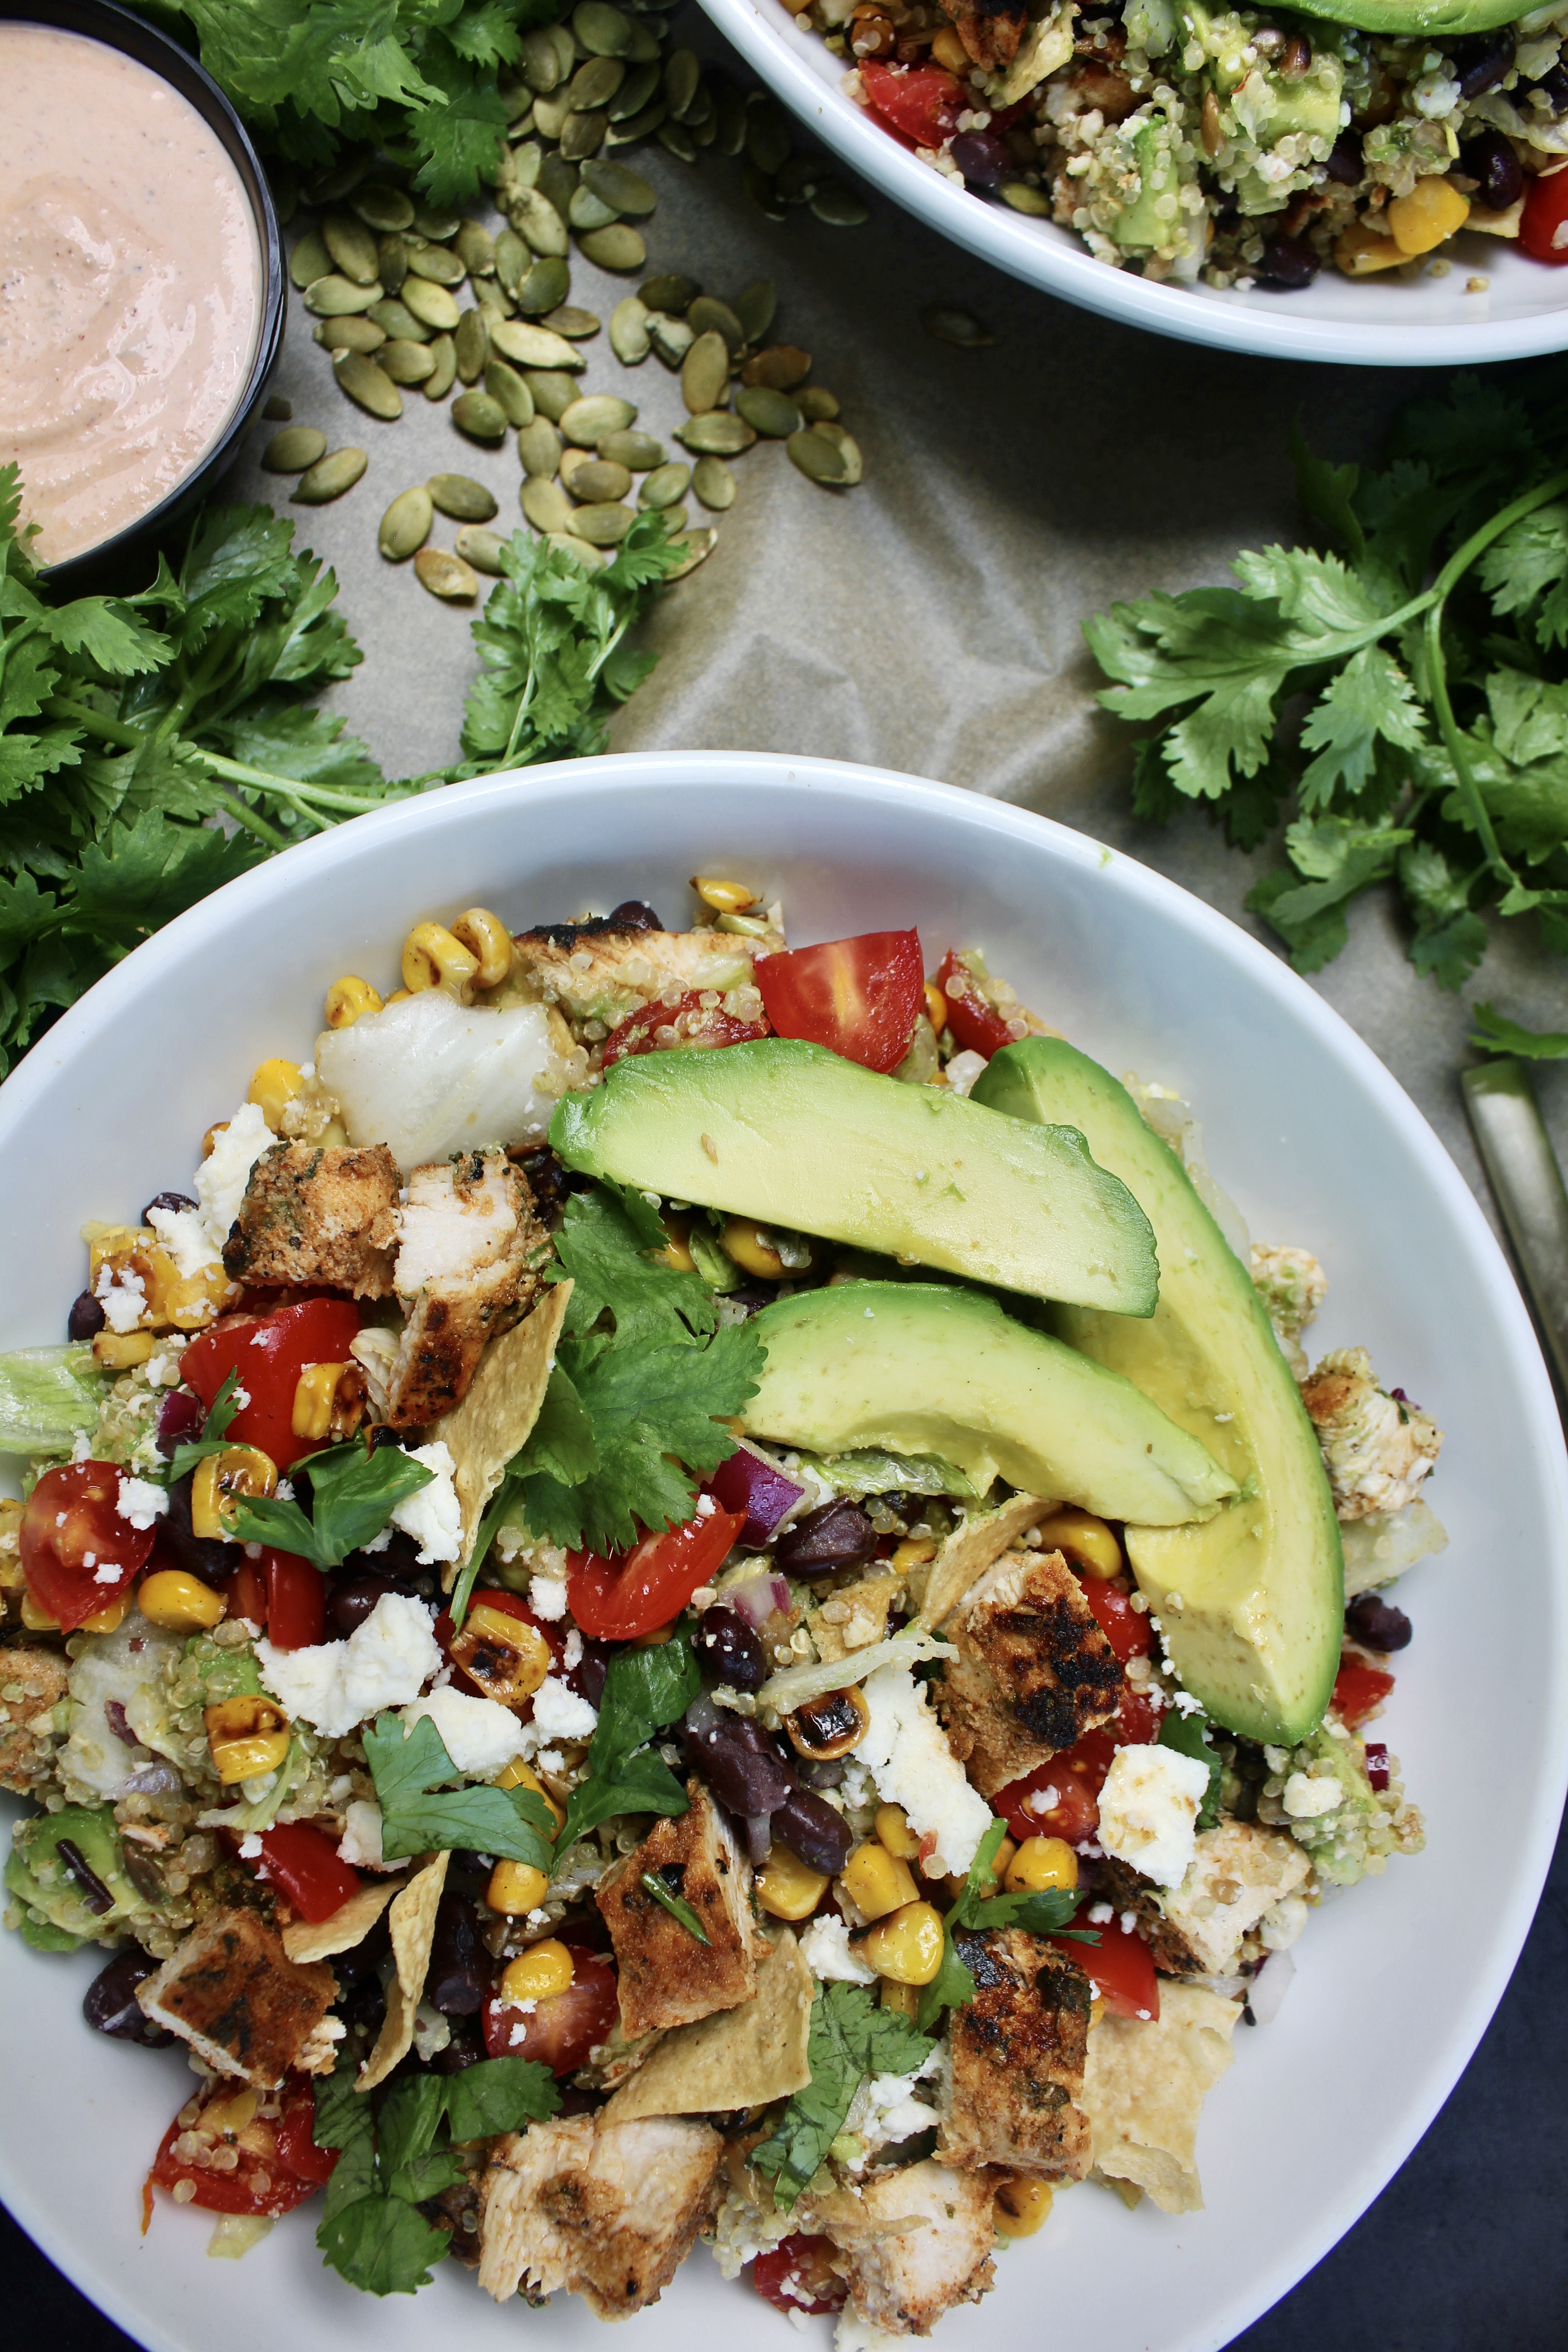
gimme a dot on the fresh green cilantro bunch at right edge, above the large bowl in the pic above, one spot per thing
(1398, 693)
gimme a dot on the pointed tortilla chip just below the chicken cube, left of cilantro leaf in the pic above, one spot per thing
(735, 2059)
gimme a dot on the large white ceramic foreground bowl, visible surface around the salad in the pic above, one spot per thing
(1313, 1140)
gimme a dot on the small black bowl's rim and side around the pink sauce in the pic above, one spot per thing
(128, 559)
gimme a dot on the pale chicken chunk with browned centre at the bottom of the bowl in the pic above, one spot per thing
(605, 2210)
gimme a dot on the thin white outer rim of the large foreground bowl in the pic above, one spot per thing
(213, 923)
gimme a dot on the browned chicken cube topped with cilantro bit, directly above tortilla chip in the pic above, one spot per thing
(666, 1975)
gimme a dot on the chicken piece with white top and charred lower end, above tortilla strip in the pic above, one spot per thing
(467, 1271)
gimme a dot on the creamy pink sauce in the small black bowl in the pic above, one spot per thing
(130, 286)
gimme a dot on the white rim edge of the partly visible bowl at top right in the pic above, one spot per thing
(1012, 243)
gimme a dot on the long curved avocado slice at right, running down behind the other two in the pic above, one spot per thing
(1252, 1601)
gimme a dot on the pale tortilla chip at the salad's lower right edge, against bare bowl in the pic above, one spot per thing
(1144, 2092)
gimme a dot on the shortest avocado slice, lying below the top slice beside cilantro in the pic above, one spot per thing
(927, 1370)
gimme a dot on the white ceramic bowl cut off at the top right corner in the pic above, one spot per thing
(1367, 323)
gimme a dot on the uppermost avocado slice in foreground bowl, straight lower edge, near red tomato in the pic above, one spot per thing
(798, 1137)
